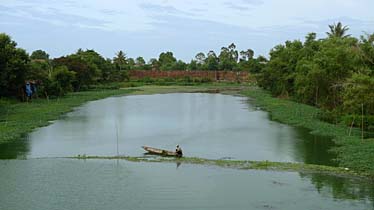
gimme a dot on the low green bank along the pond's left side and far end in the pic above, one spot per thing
(19, 118)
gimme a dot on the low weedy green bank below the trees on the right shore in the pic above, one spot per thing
(352, 152)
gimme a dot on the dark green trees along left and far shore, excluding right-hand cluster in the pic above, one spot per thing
(80, 70)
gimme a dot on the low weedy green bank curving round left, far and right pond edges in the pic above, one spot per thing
(18, 119)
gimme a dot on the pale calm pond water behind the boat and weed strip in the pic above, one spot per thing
(206, 125)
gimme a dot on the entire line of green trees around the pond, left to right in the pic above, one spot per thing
(333, 73)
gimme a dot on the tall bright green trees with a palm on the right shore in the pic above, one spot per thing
(335, 73)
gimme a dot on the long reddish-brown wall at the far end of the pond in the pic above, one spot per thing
(231, 76)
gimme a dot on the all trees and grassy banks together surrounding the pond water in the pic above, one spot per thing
(323, 84)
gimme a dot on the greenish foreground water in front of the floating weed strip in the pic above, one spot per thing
(108, 184)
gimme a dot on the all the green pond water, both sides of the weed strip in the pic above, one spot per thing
(205, 125)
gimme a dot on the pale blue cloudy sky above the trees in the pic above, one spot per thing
(148, 27)
